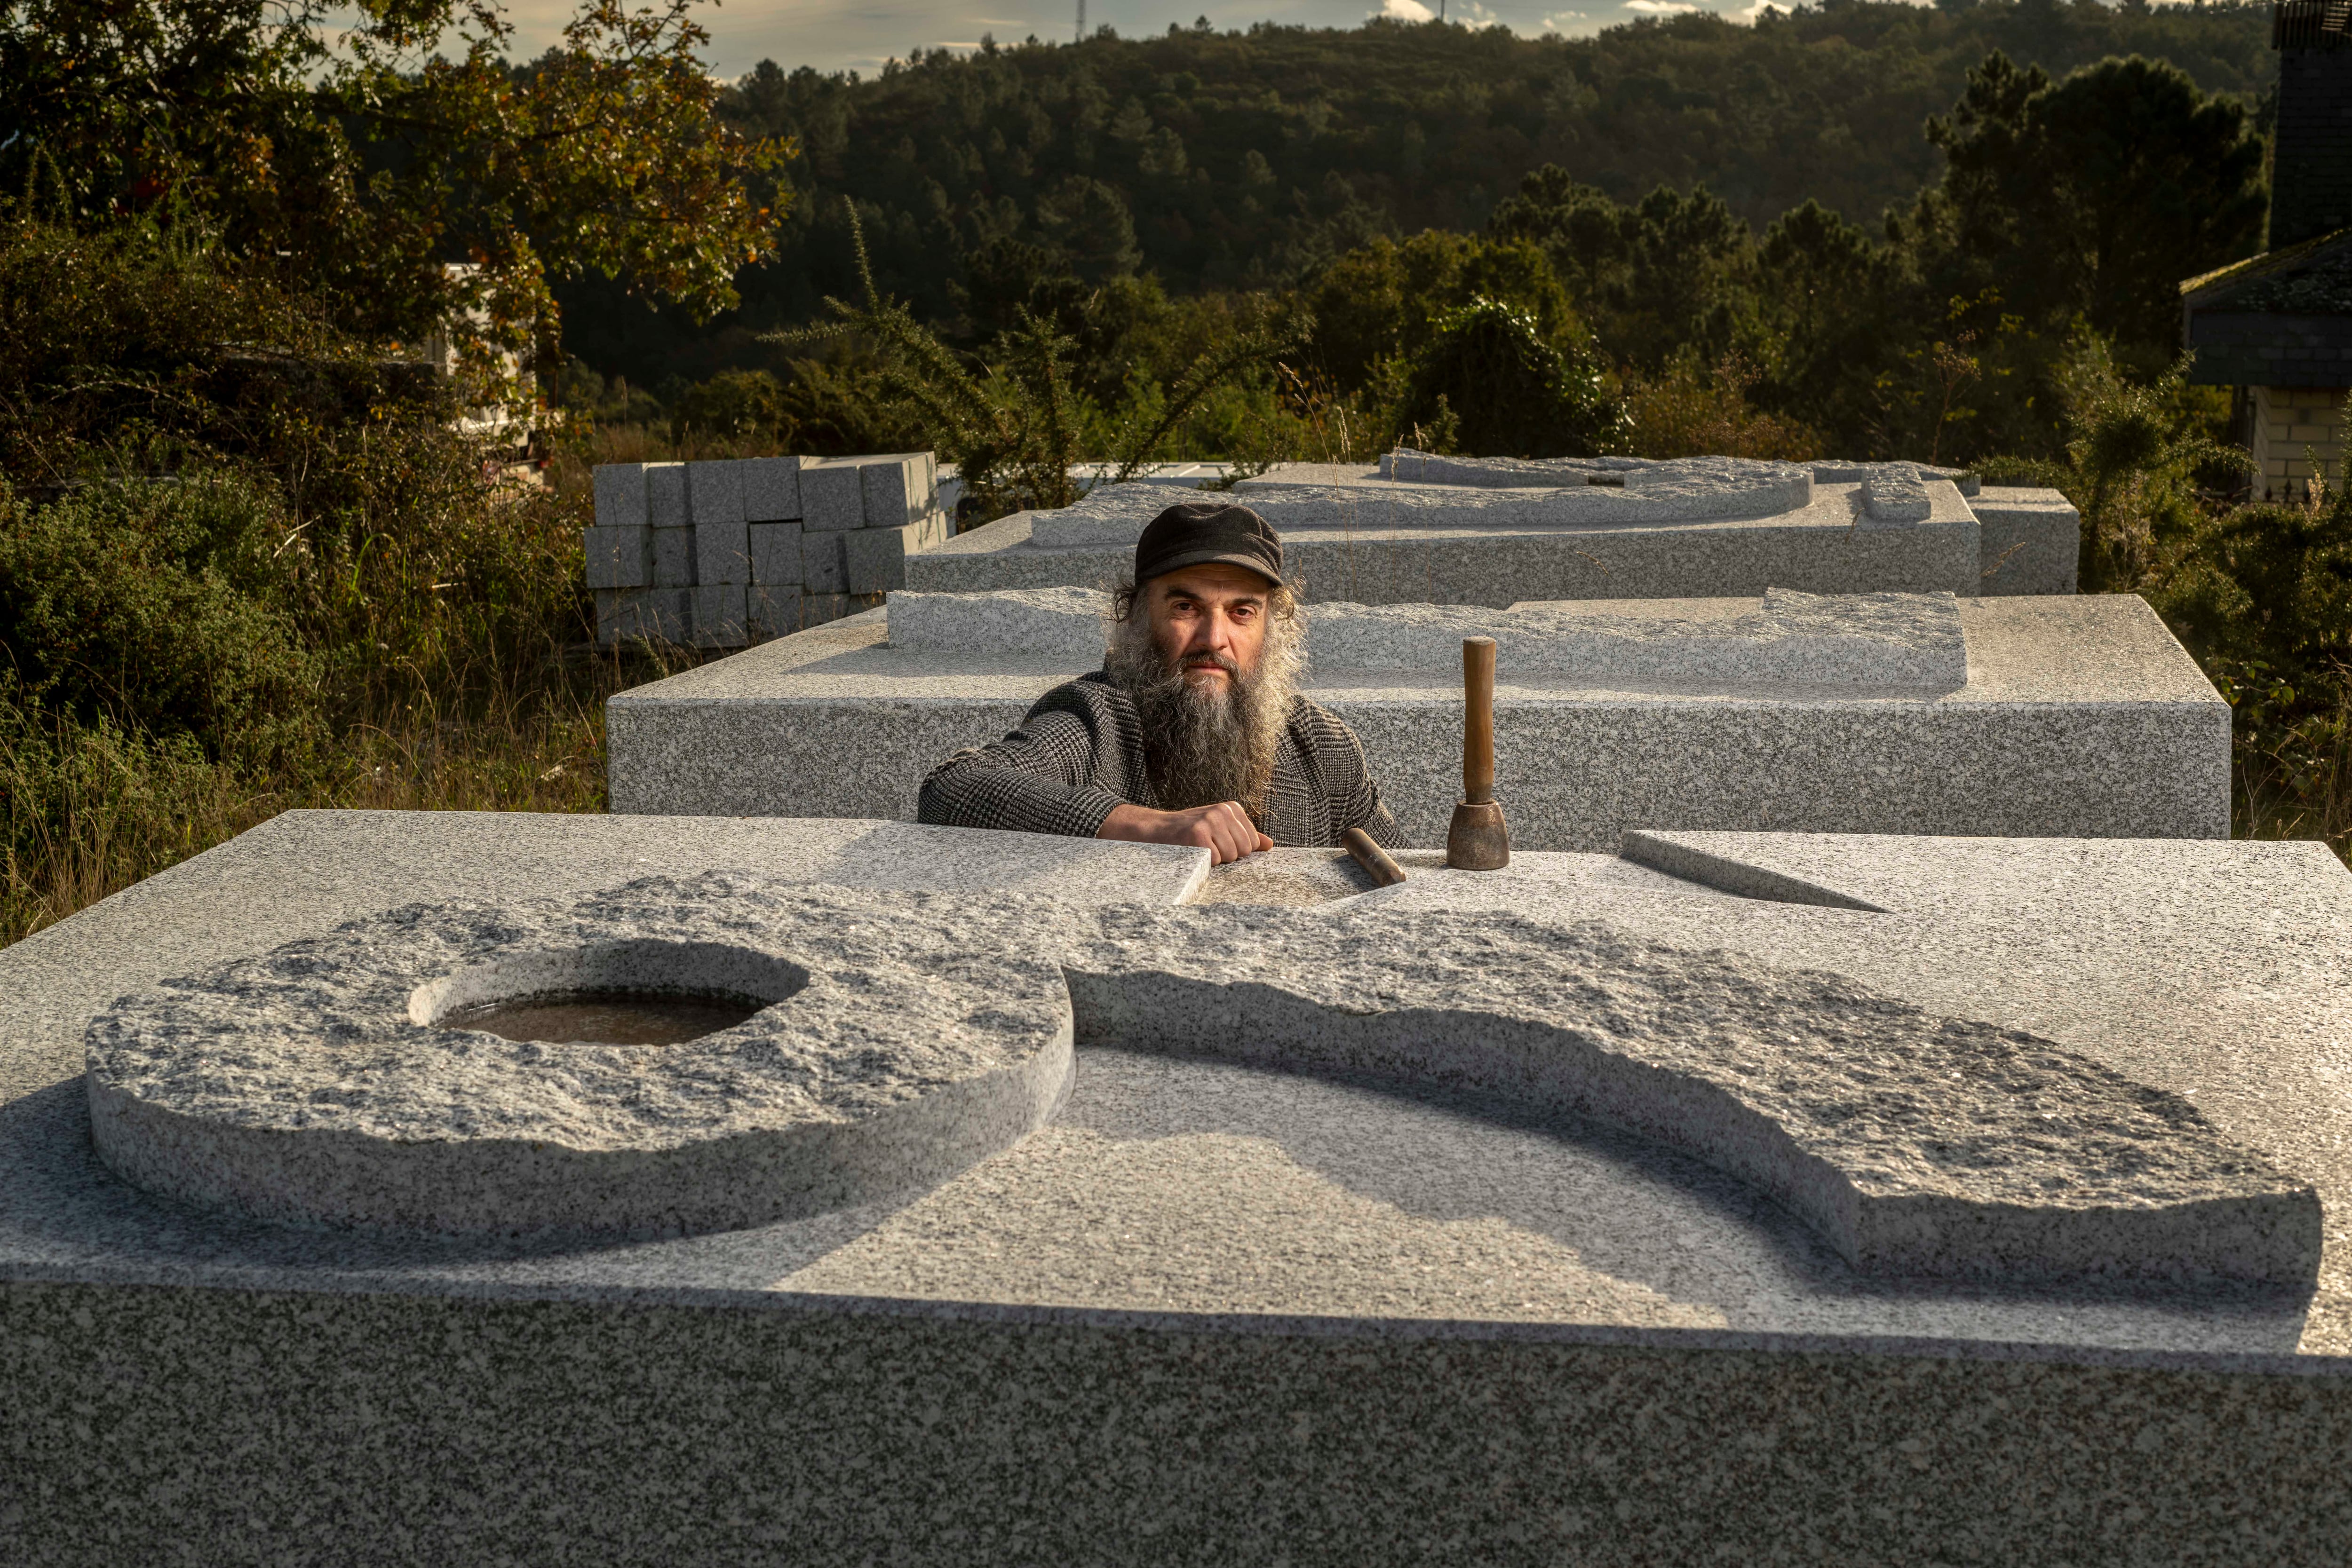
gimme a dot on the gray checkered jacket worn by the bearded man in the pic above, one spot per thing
(1081, 753)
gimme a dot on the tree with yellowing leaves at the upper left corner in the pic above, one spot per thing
(408, 187)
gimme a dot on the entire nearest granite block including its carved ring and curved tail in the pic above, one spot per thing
(1892, 1193)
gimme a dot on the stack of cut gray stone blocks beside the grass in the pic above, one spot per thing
(737, 551)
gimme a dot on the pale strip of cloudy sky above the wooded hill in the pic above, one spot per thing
(862, 34)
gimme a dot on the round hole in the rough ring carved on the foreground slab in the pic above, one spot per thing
(641, 993)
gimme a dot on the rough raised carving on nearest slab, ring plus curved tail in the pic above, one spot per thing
(1913, 1144)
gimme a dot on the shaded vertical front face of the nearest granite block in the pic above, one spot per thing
(290, 1426)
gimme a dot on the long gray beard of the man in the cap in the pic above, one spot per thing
(1215, 742)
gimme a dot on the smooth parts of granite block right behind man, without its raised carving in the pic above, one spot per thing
(2080, 718)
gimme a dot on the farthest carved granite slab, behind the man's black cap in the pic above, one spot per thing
(1699, 528)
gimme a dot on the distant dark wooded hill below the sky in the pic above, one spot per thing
(1250, 159)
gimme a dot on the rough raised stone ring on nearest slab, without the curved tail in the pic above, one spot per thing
(312, 1085)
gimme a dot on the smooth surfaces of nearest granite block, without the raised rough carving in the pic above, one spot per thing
(1212, 1313)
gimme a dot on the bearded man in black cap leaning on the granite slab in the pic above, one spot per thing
(1194, 730)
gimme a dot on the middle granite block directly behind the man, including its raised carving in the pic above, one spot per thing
(2073, 716)
